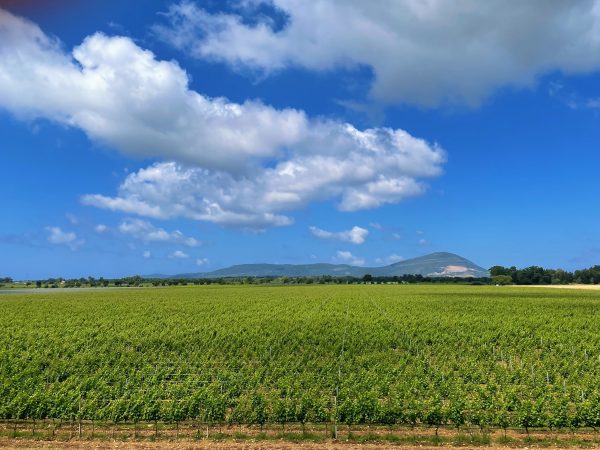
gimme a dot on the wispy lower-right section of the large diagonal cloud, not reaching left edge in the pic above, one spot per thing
(358, 169)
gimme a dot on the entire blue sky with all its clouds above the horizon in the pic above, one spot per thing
(187, 136)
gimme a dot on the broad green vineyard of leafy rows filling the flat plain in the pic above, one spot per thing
(435, 356)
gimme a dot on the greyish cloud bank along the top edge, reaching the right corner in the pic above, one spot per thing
(422, 52)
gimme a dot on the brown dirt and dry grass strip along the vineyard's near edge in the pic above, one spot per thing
(188, 436)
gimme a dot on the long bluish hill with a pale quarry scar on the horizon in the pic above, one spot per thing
(439, 264)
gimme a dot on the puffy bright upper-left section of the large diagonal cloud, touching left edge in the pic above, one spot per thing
(121, 95)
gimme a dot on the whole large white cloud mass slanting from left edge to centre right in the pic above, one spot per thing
(229, 163)
